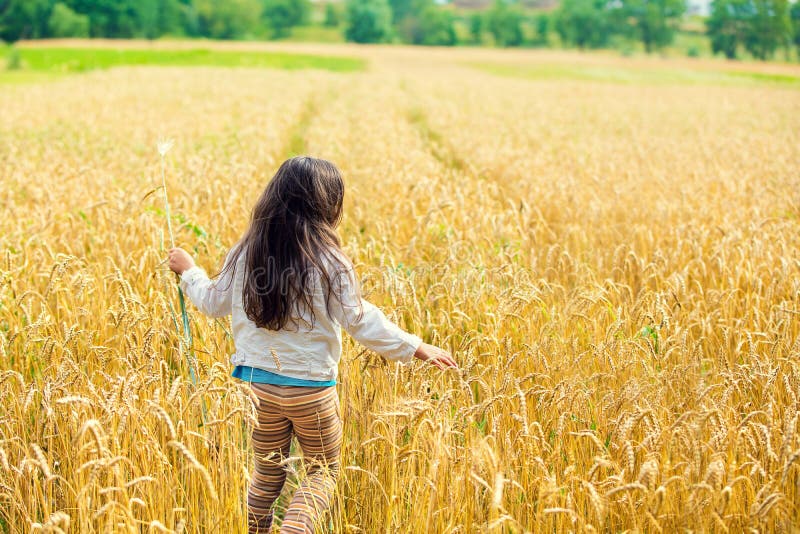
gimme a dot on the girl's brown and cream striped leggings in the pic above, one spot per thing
(312, 415)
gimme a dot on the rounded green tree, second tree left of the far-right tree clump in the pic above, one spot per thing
(584, 23)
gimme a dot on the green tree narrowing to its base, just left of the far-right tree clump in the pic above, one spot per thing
(653, 21)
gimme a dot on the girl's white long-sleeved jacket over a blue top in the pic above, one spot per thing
(311, 354)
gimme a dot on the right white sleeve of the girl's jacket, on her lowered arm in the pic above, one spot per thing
(366, 323)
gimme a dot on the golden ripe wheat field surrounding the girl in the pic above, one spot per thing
(614, 264)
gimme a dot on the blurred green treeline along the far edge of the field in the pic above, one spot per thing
(760, 27)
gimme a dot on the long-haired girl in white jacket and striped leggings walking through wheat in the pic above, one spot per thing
(290, 289)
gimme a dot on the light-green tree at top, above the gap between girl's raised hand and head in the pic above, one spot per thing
(228, 19)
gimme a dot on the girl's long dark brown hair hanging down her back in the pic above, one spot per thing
(292, 240)
